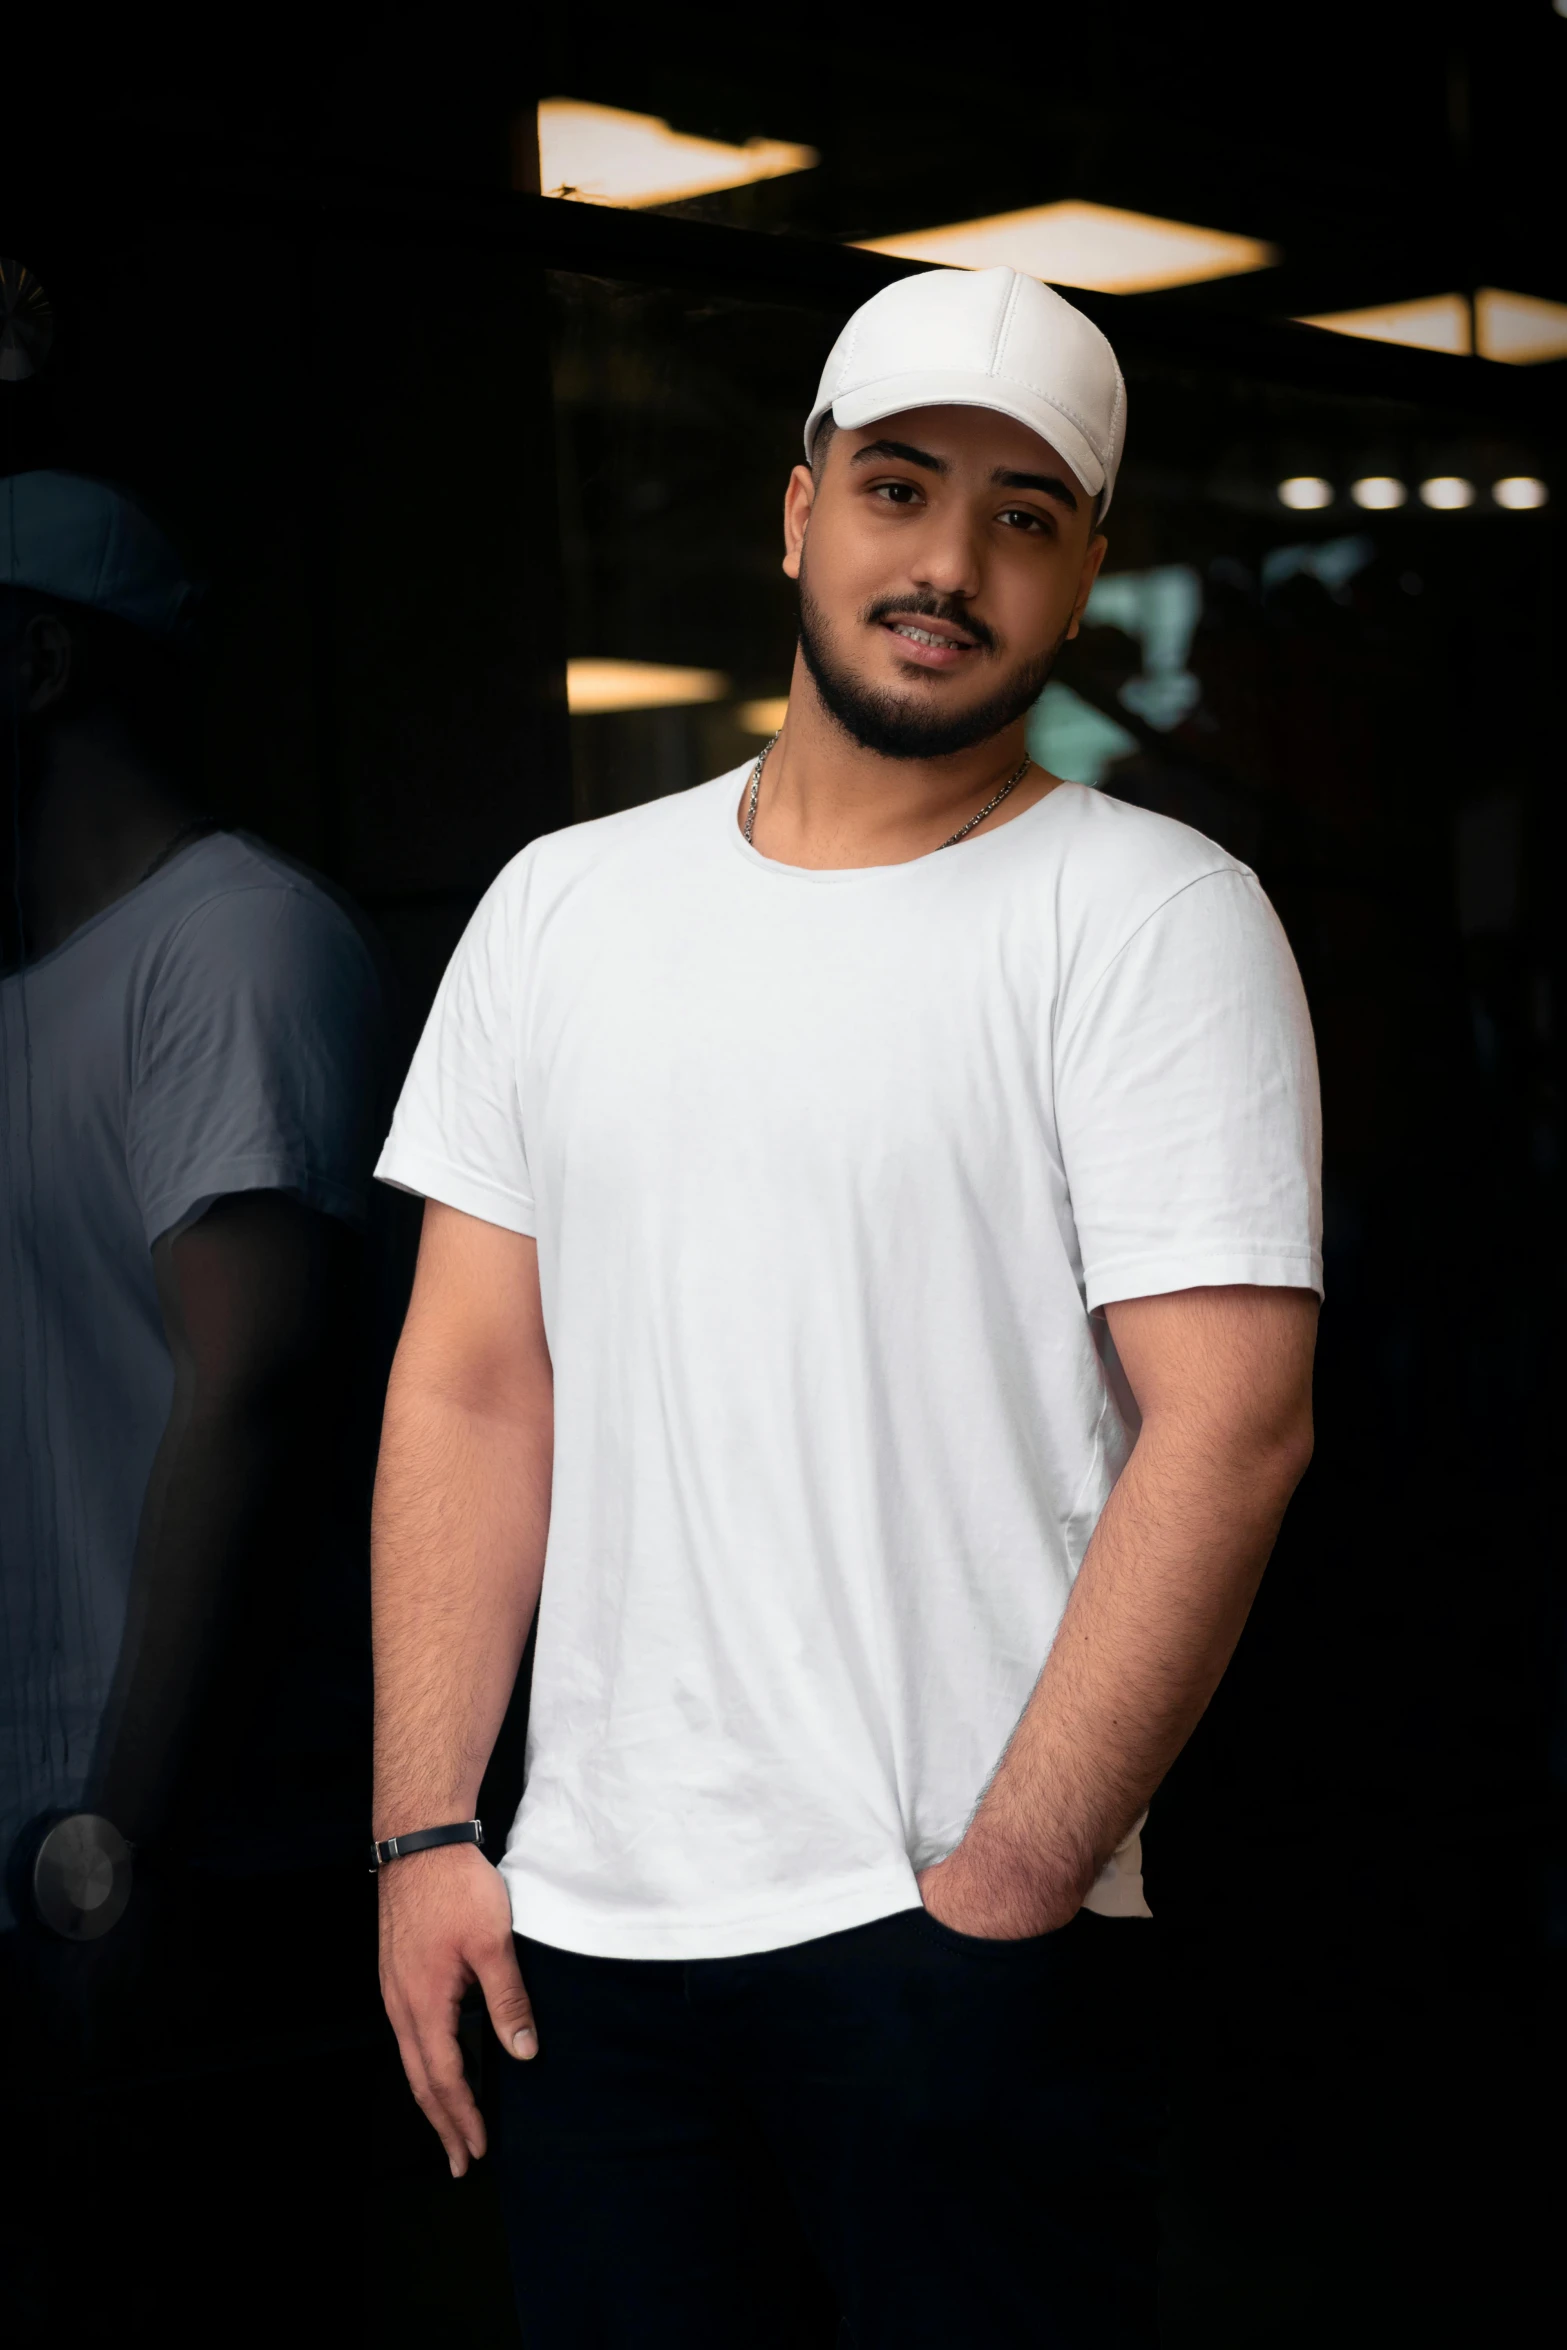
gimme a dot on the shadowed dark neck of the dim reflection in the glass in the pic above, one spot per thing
(95, 817)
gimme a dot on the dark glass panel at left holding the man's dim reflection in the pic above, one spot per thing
(283, 687)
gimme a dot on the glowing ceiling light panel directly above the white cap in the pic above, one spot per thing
(1087, 246)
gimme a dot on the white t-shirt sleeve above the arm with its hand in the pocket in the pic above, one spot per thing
(1188, 1103)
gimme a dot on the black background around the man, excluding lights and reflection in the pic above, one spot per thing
(433, 434)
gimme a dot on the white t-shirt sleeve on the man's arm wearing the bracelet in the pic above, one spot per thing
(457, 1132)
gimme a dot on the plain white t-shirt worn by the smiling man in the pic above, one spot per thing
(830, 1174)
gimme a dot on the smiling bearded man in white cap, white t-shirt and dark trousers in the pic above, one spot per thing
(866, 1303)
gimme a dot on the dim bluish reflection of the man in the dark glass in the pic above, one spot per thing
(187, 1085)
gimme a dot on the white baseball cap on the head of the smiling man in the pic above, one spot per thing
(983, 340)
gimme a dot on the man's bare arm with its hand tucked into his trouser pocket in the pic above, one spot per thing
(1223, 1381)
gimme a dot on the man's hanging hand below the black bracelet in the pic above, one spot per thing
(445, 1923)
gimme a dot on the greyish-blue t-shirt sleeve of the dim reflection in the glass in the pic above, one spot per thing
(257, 1061)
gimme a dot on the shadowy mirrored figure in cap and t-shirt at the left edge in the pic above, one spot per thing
(189, 1087)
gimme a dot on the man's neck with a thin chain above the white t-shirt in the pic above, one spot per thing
(828, 803)
